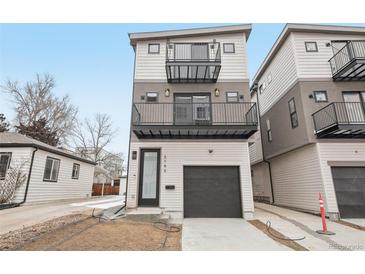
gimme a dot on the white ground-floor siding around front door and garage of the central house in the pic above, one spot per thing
(190, 153)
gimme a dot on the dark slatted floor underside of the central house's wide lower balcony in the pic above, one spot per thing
(194, 132)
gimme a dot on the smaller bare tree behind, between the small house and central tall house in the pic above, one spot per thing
(91, 138)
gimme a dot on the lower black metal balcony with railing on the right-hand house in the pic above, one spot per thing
(340, 120)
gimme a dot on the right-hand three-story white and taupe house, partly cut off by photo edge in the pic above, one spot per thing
(311, 91)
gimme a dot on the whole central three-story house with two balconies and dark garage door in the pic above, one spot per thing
(191, 119)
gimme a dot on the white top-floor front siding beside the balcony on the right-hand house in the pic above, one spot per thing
(315, 64)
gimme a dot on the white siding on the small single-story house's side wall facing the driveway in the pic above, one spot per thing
(65, 187)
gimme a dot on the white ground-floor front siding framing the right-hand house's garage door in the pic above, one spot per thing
(338, 154)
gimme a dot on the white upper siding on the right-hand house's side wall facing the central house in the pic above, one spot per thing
(283, 72)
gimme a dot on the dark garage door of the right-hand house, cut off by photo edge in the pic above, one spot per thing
(350, 191)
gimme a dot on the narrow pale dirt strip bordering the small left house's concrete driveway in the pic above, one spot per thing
(14, 239)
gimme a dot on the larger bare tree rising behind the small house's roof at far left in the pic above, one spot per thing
(35, 101)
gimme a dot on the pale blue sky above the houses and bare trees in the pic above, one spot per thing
(93, 63)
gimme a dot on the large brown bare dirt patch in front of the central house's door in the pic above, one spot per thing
(92, 234)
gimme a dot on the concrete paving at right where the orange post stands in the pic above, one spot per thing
(294, 224)
